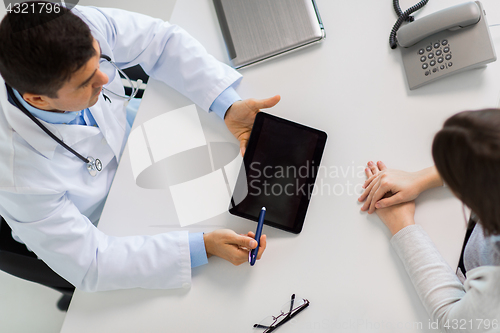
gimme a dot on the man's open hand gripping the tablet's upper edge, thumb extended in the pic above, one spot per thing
(240, 116)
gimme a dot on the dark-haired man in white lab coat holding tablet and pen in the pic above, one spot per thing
(57, 167)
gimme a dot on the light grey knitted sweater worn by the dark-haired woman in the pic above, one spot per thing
(470, 307)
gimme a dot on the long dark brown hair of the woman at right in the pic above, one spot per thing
(467, 156)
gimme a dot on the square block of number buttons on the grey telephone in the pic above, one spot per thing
(436, 53)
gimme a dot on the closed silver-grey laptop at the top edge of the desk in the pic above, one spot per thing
(257, 30)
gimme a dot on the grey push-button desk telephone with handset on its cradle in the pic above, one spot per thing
(444, 43)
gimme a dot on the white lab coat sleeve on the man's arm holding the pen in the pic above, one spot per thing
(53, 228)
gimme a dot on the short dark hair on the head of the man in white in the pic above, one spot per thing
(39, 51)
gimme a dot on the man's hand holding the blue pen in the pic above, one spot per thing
(232, 247)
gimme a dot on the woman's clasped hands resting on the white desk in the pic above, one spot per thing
(386, 187)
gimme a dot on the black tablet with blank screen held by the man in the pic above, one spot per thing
(279, 169)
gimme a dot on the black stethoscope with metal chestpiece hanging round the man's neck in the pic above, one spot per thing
(94, 165)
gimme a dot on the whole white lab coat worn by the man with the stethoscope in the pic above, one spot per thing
(46, 193)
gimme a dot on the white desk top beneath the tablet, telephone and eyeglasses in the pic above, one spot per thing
(352, 86)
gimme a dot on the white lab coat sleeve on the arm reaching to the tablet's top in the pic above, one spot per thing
(165, 51)
